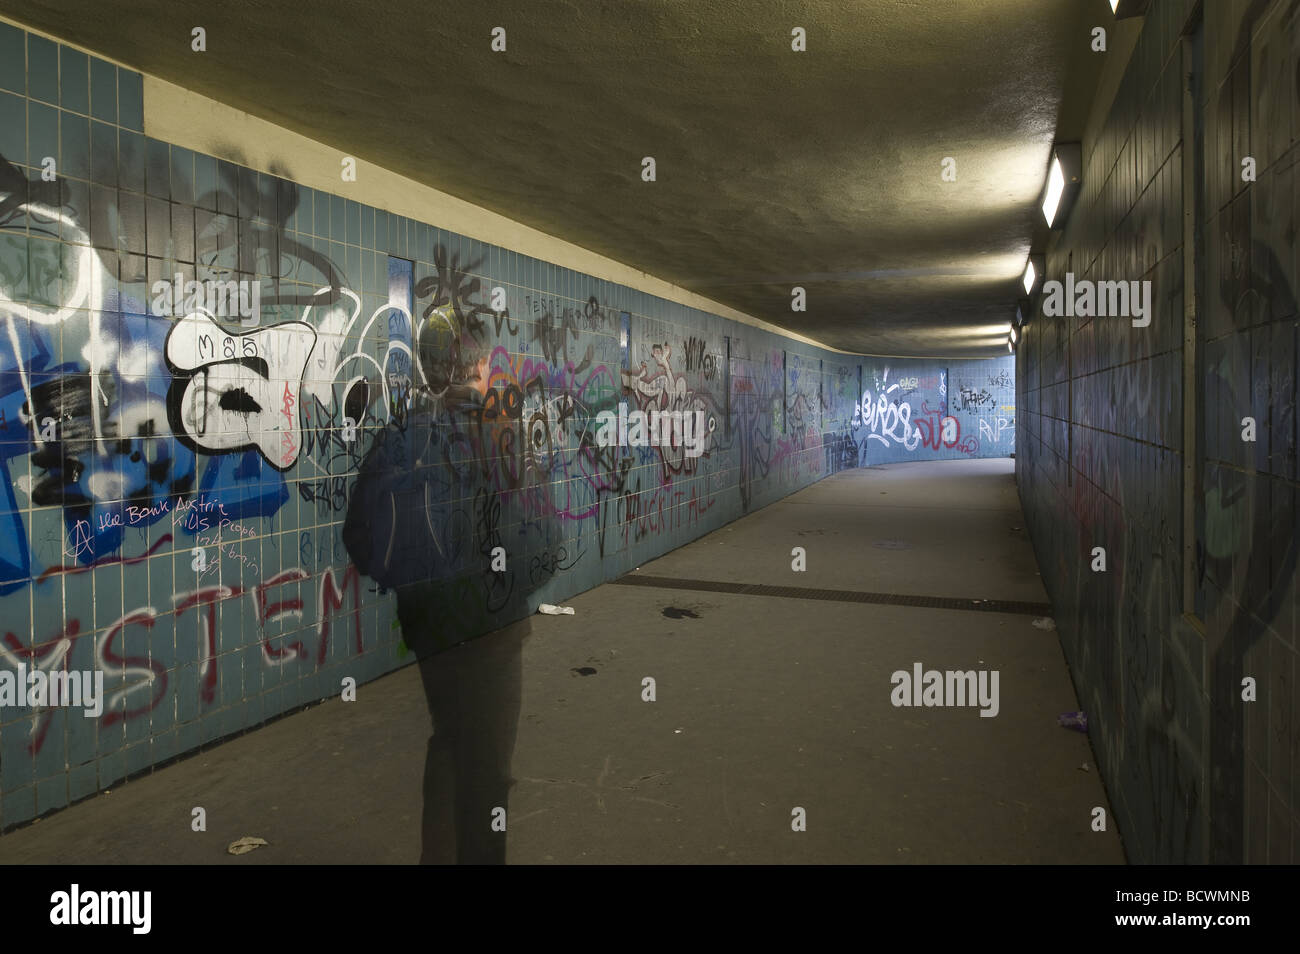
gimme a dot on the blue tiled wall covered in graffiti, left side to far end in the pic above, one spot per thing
(380, 380)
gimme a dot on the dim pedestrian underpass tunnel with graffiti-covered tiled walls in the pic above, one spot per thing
(814, 432)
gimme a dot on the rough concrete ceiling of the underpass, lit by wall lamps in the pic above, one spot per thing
(775, 168)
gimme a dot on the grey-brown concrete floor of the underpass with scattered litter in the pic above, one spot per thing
(764, 705)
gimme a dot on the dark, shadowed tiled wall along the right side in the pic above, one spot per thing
(1195, 773)
